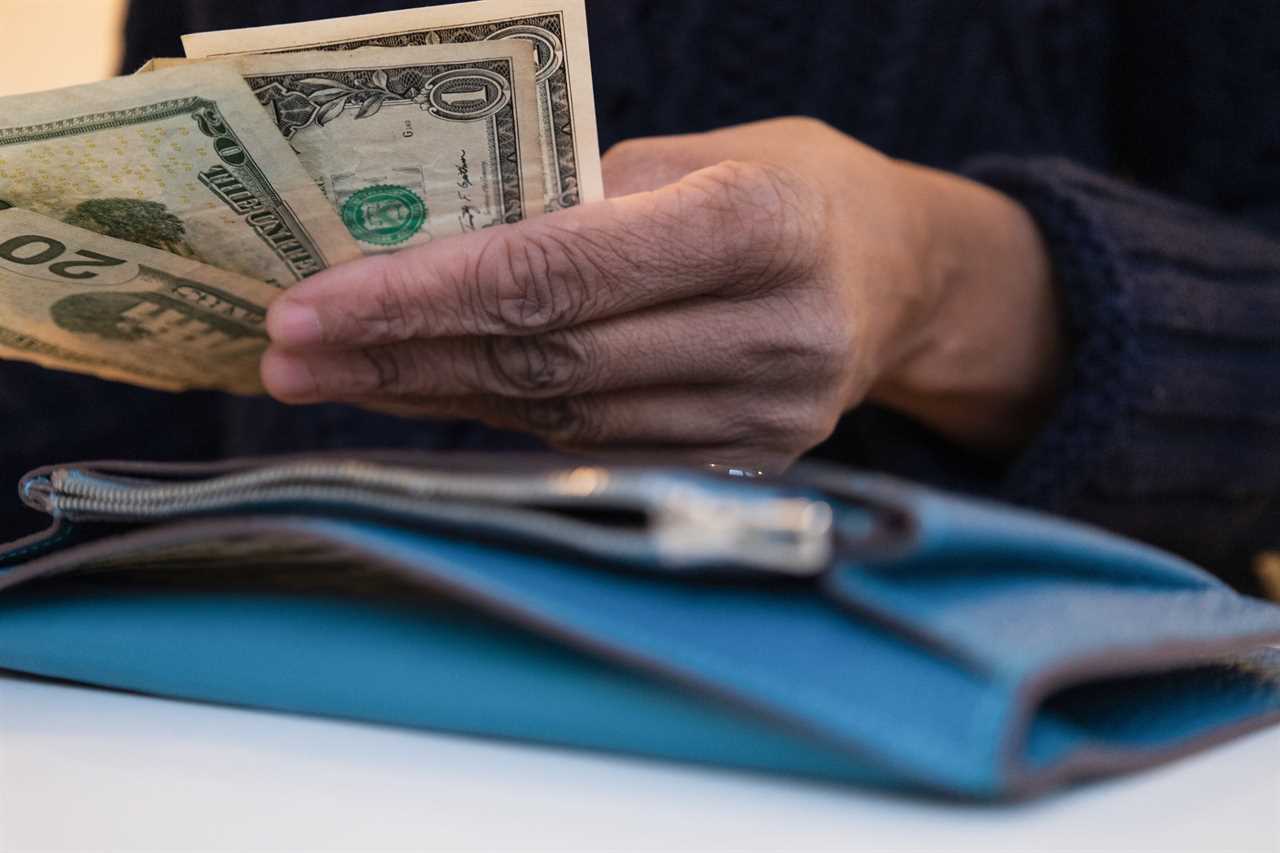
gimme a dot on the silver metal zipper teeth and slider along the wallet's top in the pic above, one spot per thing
(669, 505)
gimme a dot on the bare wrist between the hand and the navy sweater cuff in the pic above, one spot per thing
(982, 363)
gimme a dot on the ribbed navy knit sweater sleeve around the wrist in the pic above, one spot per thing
(1169, 427)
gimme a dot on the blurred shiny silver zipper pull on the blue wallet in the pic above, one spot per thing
(784, 536)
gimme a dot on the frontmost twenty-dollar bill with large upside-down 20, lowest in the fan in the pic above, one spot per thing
(75, 300)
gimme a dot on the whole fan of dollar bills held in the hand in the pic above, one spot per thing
(148, 222)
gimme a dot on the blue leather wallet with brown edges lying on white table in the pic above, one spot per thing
(829, 624)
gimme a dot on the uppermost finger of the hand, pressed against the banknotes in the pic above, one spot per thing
(723, 226)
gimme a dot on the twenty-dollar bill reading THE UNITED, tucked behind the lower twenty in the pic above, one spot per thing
(184, 161)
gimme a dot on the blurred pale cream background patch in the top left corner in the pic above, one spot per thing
(58, 43)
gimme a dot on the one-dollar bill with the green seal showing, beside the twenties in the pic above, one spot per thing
(412, 144)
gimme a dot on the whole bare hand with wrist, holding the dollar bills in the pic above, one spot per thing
(734, 299)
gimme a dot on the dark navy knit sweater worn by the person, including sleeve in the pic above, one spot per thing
(1144, 136)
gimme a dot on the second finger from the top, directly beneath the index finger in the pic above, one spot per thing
(693, 343)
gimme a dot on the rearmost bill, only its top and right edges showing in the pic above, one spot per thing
(556, 29)
